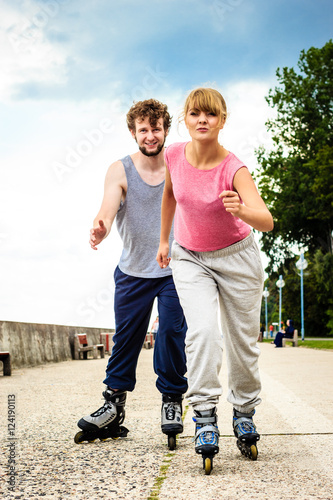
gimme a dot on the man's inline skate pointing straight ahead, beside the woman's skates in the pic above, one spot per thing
(171, 417)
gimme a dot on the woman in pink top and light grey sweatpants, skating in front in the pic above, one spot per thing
(217, 270)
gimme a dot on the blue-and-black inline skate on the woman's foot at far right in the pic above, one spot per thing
(246, 434)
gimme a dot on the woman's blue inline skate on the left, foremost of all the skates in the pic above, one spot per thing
(206, 436)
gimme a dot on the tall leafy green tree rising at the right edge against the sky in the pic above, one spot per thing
(295, 177)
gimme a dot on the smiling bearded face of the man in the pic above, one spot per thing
(150, 139)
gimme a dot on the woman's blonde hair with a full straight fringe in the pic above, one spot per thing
(208, 100)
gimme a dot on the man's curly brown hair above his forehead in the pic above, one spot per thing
(152, 109)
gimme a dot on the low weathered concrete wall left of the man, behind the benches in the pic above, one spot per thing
(32, 344)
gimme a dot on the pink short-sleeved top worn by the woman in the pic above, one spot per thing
(201, 221)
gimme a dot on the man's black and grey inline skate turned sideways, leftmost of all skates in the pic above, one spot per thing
(105, 422)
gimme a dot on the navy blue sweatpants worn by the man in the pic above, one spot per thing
(134, 298)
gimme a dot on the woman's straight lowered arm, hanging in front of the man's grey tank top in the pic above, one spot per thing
(167, 214)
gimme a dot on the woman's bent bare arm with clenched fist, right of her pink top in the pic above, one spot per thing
(253, 211)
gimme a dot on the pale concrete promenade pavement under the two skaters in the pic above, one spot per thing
(295, 451)
